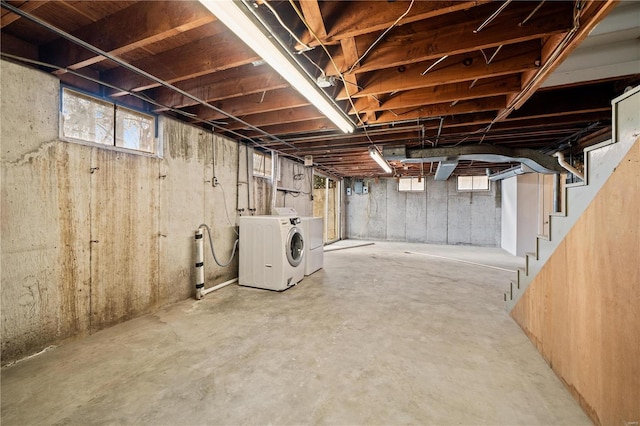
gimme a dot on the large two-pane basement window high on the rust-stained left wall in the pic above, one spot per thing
(85, 118)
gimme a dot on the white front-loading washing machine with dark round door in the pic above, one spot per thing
(271, 252)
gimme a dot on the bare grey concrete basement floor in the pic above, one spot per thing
(385, 334)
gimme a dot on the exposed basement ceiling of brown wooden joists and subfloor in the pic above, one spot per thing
(420, 74)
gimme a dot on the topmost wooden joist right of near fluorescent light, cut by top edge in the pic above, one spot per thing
(362, 17)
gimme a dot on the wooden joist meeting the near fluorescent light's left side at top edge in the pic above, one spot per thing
(125, 31)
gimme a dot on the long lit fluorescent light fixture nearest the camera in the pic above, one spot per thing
(236, 16)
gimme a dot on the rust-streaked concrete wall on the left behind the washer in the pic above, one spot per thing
(91, 236)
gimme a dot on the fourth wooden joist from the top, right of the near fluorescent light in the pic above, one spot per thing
(445, 93)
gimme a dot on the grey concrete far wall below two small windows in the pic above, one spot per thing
(439, 215)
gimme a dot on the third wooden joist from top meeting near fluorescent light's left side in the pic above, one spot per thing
(225, 84)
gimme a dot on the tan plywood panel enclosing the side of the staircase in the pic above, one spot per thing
(582, 311)
